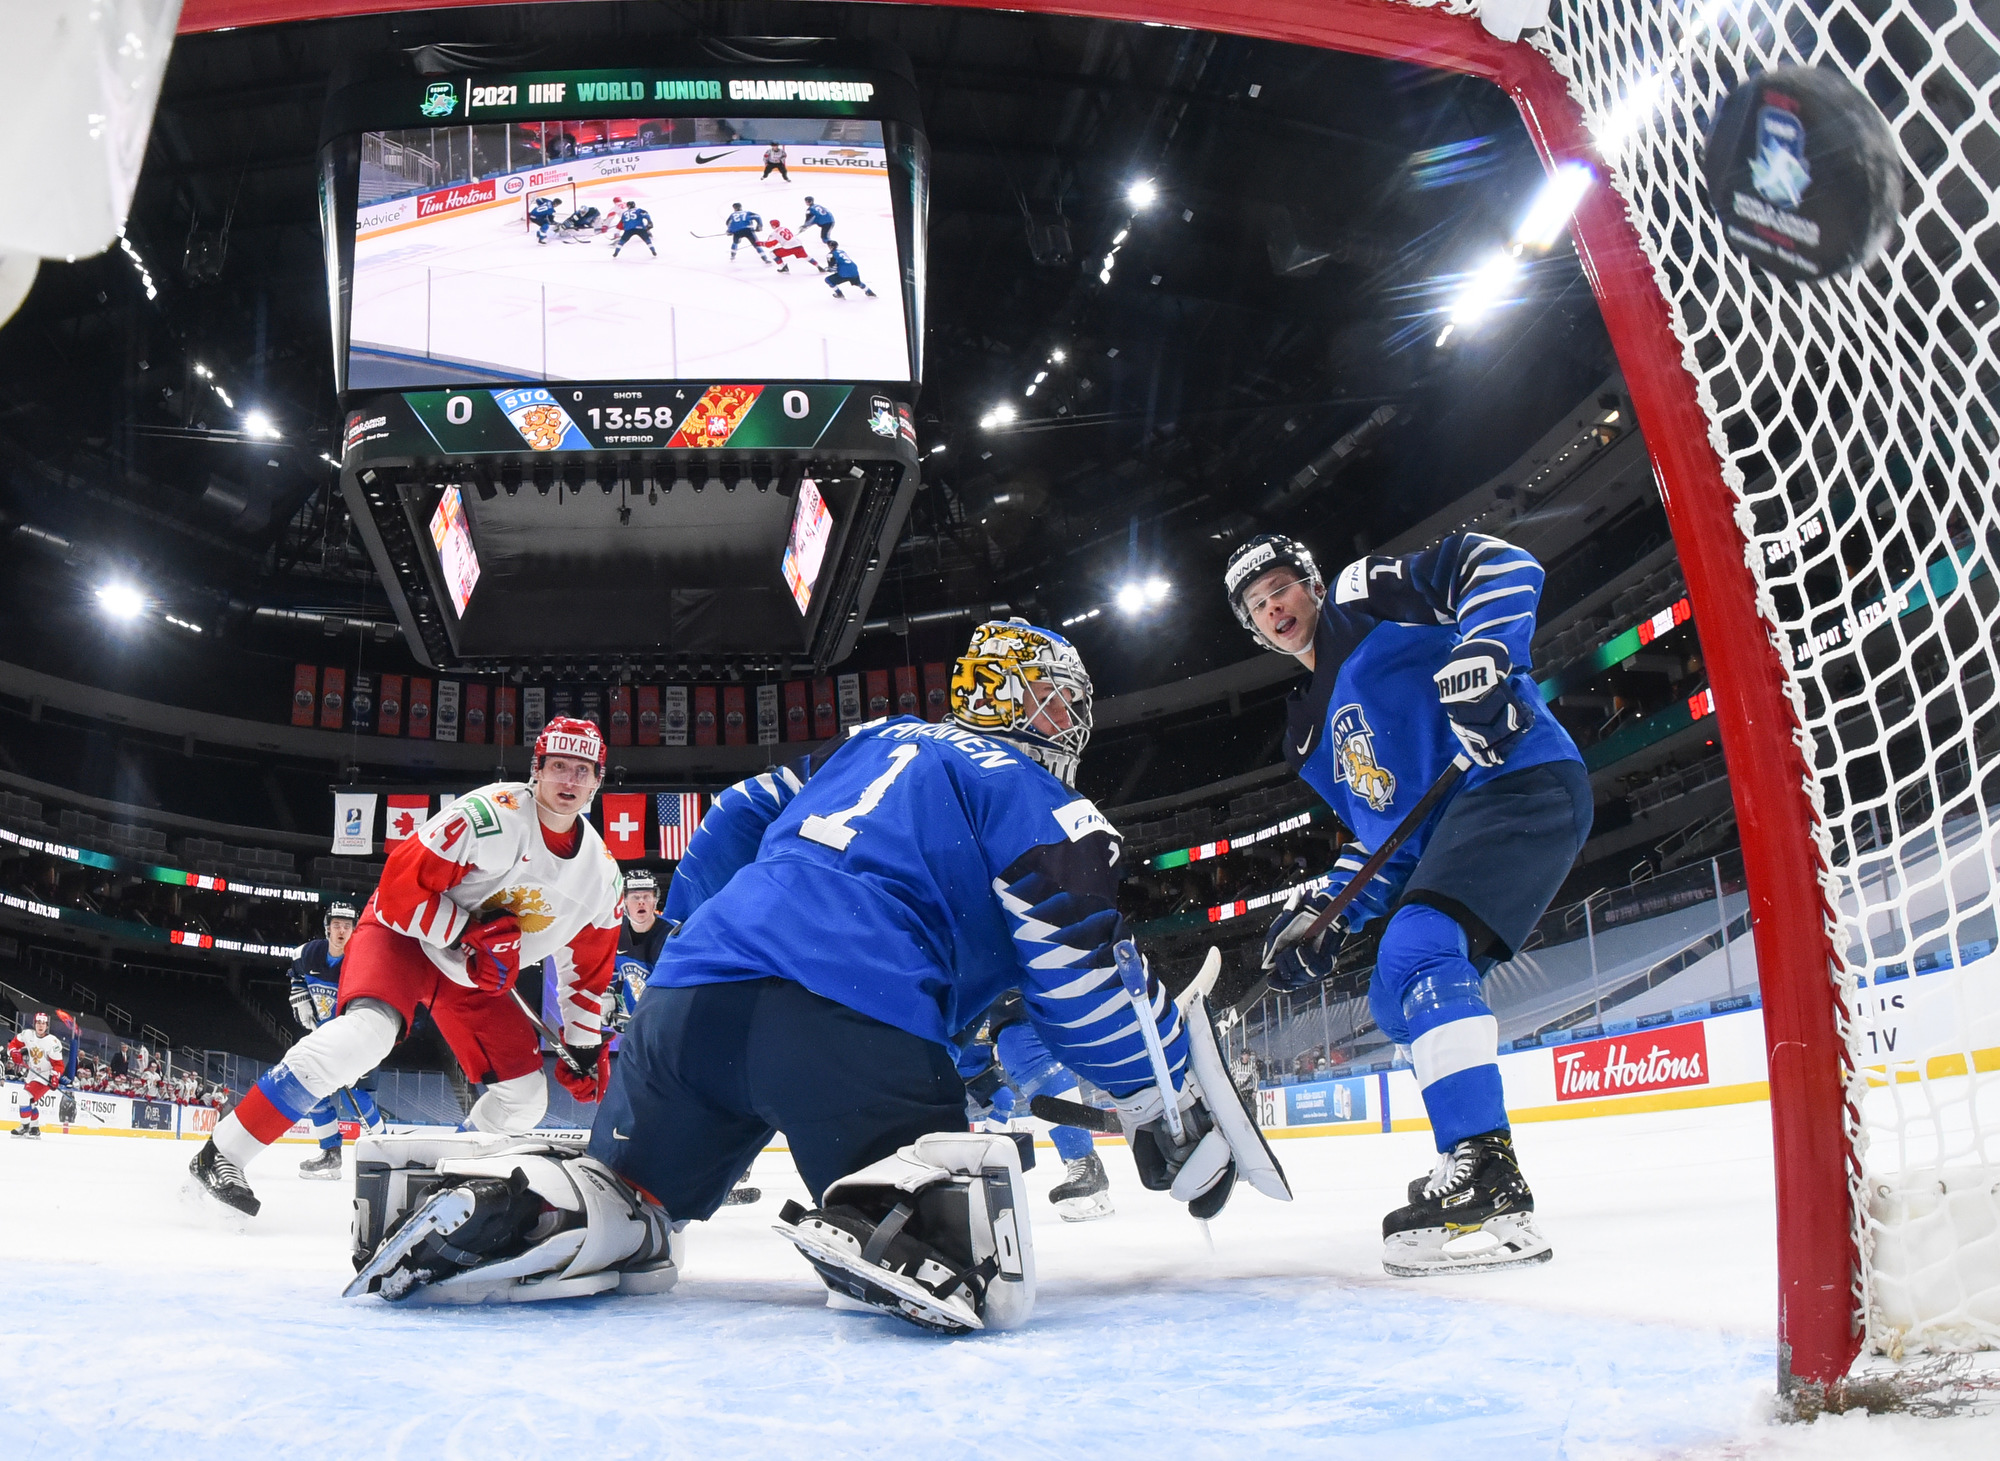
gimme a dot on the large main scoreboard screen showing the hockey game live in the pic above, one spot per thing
(597, 251)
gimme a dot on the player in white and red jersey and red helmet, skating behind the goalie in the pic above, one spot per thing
(497, 882)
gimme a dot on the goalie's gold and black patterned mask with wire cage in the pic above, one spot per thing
(1027, 685)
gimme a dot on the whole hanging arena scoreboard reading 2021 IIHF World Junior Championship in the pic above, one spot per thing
(629, 357)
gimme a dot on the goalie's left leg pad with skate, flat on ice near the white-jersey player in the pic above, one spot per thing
(571, 1226)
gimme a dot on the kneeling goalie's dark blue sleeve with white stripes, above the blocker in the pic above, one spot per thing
(1063, 914)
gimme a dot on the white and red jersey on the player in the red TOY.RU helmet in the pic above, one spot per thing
(489, 852)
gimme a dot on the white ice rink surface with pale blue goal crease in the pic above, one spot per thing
(157, 1328)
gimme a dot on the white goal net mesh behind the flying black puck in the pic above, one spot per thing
(1855, 421)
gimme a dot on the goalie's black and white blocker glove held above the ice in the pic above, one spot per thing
(1217, 1136)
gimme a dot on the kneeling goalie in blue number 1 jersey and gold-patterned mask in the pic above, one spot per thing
(921, 874)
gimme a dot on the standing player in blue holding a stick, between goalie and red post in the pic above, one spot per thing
(1417, 661)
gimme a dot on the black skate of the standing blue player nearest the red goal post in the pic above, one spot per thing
(1475, 1212)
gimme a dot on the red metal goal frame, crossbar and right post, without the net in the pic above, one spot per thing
(1819, 1260)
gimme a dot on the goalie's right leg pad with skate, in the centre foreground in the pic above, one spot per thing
(937, 1236)
